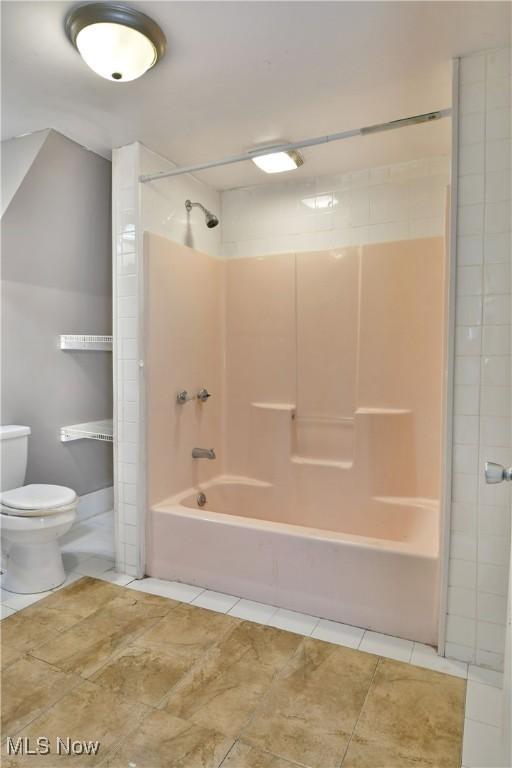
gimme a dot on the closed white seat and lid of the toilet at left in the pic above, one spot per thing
(37, 500)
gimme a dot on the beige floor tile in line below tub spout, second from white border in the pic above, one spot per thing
(219, 693)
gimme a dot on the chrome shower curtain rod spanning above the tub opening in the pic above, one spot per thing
(378, 128)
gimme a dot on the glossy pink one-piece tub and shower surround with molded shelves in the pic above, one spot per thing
(326, 374)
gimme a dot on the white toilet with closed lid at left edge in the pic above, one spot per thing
(32, 518)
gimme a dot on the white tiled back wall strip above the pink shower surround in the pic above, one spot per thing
(393, 202)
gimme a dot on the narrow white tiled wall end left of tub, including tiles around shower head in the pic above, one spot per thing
(158, 207)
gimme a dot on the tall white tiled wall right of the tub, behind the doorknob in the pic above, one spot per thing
(480, 538)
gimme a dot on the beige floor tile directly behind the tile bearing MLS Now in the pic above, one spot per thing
(144, 674)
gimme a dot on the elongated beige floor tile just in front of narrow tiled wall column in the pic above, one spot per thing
(90, 644)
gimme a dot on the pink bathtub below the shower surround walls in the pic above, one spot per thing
(374, 565)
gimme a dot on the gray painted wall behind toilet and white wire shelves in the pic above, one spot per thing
(57, 278)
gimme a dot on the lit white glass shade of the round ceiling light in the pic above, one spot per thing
(116, 52)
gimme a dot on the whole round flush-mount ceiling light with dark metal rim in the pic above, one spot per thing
(115, 41)
